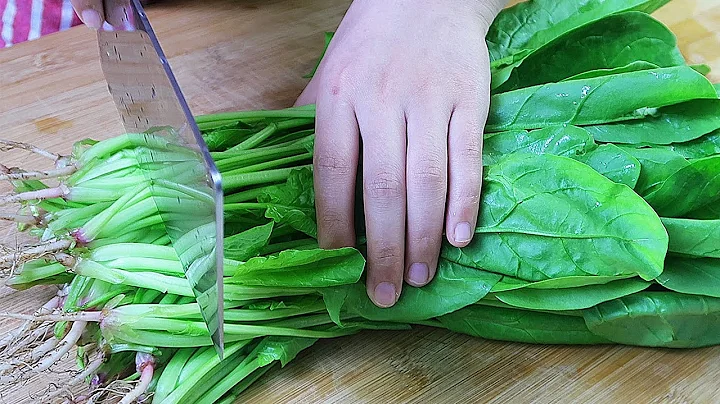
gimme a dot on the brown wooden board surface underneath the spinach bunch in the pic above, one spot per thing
(250, 54)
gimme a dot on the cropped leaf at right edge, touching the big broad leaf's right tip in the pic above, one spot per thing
(697, 238)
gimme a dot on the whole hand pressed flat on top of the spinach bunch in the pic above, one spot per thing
(412, 80)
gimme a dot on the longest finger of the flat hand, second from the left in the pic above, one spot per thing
(384, 193)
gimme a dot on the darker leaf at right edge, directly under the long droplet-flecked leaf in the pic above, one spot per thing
(672, 124)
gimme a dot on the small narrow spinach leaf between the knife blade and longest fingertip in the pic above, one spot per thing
(300, 269)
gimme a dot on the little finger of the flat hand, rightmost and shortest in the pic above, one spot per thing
(465, 176)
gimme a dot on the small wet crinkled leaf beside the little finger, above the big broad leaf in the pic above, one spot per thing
(561, 140)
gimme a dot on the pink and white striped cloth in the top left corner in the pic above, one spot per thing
(25, 20)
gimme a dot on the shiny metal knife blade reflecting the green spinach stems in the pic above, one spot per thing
(187, 190)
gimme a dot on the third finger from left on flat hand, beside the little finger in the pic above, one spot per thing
(426, 193)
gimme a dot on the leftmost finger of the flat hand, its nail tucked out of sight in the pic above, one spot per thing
(335, 161)
